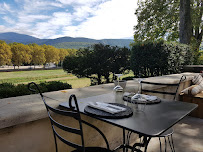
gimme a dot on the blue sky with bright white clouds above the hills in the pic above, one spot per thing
(96, 19)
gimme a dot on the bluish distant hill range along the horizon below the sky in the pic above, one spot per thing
(62, 42)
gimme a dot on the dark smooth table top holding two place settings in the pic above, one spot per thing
(156, 118)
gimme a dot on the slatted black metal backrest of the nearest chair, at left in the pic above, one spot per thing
(73, 112)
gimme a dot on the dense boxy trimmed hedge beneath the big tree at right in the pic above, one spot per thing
(159, 58)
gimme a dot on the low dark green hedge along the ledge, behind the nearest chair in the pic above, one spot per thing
(10, 90)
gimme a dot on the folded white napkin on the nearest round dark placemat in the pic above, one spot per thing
(106, 107)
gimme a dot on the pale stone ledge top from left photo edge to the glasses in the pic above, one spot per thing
(22, 109)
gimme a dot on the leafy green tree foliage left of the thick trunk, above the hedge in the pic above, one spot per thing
(157, 19)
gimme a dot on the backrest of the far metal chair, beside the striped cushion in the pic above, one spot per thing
(157, 88)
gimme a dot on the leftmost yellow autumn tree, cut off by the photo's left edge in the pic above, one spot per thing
(5, 53)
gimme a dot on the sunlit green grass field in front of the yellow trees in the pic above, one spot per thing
(37, 76)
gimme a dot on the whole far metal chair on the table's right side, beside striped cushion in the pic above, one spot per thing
(158, 91)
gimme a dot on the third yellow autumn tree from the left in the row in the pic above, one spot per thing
(38, 56)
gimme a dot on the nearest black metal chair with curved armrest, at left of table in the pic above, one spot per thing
(72, 112)
